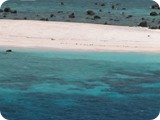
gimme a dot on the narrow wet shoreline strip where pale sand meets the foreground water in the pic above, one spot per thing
(42, 49)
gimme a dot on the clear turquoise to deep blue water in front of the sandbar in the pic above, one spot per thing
(57, 85)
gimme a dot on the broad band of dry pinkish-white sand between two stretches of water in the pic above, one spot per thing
(77, 36)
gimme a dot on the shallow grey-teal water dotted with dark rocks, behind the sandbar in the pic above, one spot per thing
(43, 9)
